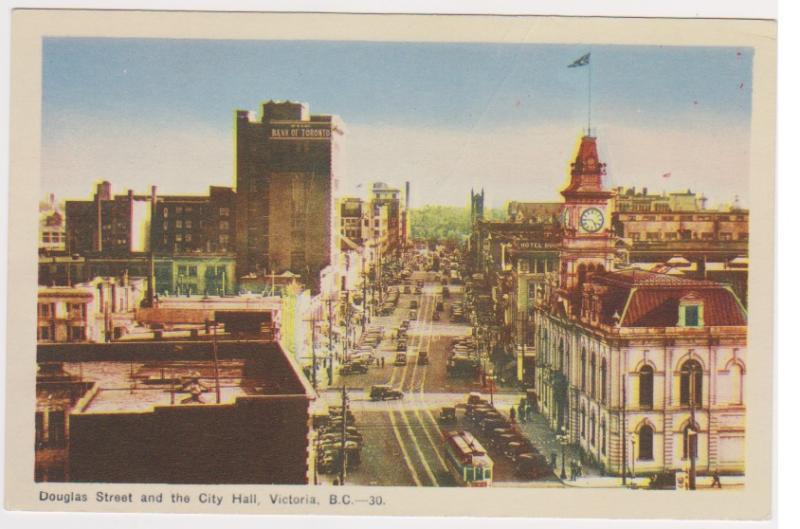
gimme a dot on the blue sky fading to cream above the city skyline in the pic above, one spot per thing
(448, 117)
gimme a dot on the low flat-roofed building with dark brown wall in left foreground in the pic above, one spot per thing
(157, 419)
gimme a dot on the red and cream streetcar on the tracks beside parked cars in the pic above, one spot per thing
(467, 459)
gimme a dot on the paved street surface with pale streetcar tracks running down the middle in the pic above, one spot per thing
(402, 439)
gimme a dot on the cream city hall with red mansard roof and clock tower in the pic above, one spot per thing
(642, 370)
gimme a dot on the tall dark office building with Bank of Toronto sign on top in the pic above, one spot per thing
(287, 168)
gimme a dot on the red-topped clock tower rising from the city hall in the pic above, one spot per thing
(588, 243)
